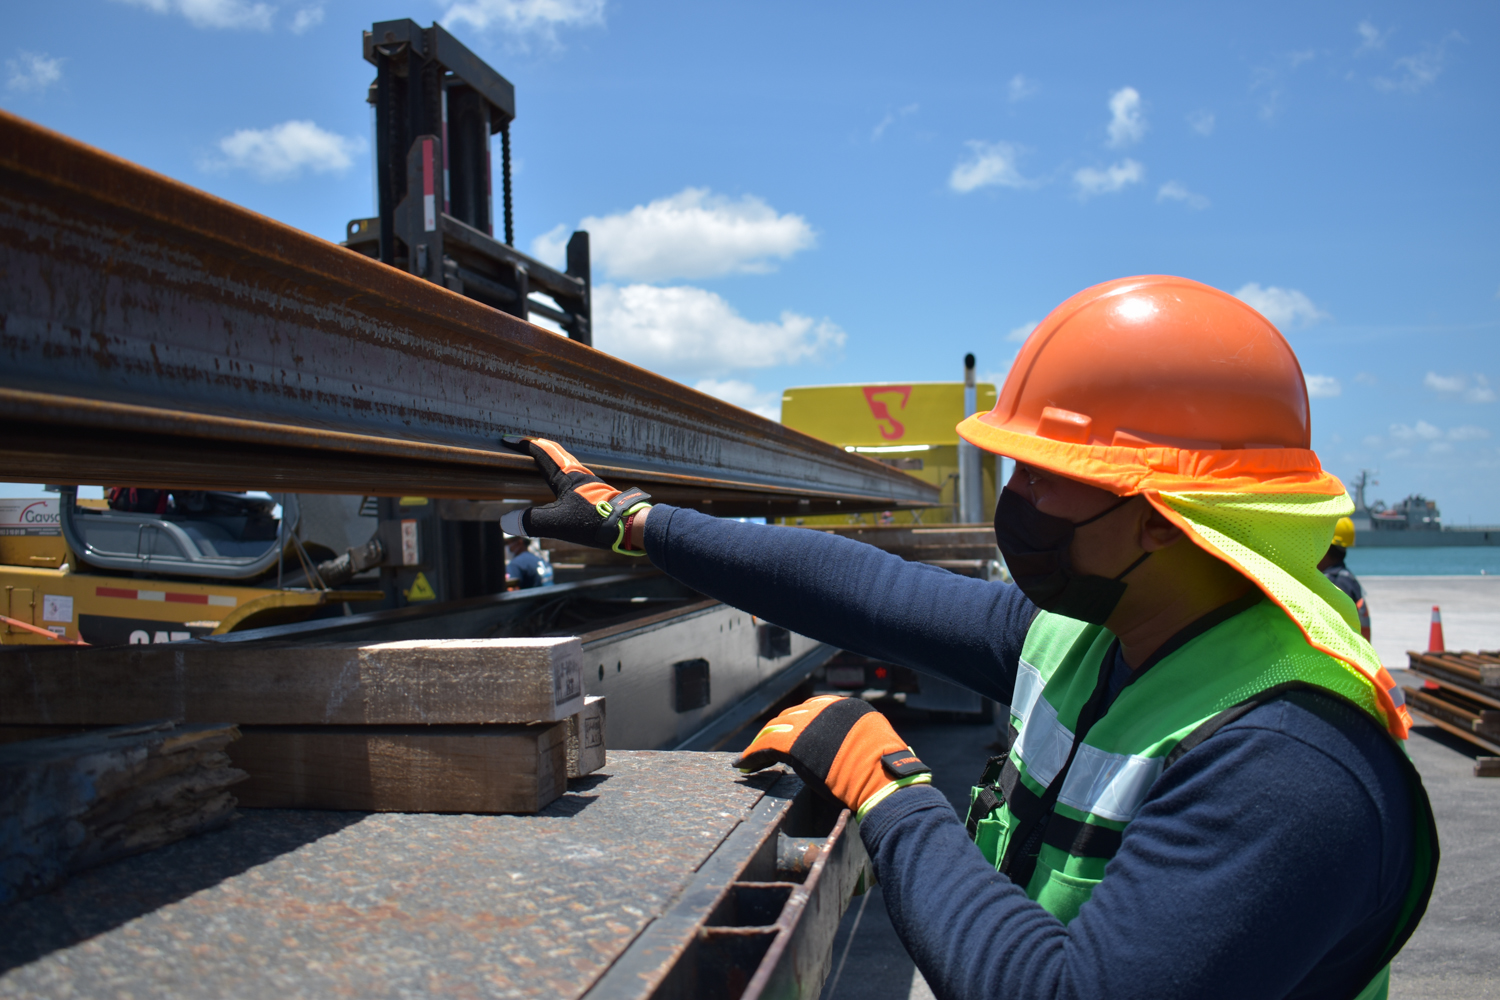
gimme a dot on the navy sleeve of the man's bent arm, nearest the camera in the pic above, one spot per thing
(1268, 863)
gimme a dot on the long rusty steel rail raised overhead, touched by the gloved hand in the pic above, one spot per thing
(158, 337)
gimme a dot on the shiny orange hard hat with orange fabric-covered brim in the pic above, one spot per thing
(1157, 383)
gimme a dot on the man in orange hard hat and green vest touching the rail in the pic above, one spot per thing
(1205, 792)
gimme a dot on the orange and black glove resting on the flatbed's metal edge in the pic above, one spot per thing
(842, 746)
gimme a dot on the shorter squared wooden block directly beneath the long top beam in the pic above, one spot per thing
(403, 768)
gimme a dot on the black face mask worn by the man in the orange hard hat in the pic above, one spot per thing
(1036, 549)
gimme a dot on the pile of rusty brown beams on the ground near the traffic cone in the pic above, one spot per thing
(1462, 695)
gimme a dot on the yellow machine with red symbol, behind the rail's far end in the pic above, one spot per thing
(905, 425)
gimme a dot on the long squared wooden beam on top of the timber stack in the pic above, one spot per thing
(416, 683)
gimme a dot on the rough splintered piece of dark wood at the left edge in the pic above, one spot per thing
(76, 801)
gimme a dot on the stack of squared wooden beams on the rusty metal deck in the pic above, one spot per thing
(419, 726)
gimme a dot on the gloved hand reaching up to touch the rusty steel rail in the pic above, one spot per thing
(587, 510)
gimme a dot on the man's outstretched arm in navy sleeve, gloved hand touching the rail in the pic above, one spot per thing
(835, 590)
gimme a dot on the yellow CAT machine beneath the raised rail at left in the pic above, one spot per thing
(80, 570)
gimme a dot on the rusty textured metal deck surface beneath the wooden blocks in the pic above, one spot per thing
(292, 905)
